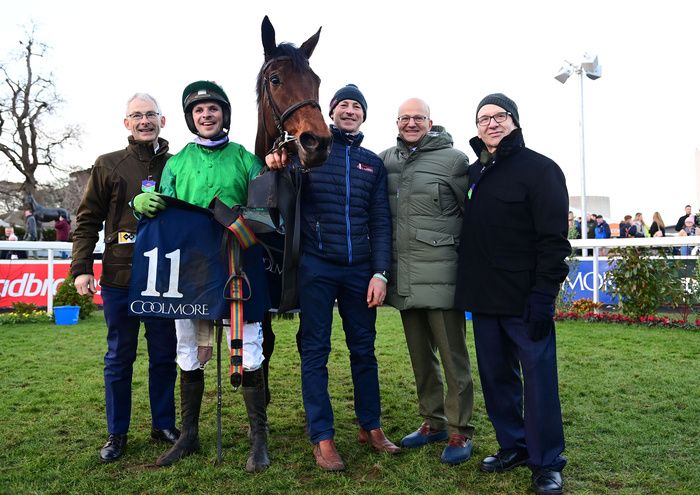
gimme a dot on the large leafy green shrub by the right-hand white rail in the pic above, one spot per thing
(644, 283)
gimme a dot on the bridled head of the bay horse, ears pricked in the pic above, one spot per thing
(288, 109)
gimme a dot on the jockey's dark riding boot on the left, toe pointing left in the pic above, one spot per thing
(191, 391)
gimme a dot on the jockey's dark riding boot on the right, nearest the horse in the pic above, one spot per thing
(256, 406)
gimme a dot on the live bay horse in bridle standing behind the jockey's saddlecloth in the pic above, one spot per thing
(289, 116)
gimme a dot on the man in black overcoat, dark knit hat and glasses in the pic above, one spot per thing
(509, 274)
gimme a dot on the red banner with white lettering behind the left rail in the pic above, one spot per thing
(27, 281)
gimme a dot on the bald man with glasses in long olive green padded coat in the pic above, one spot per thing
(427, 184)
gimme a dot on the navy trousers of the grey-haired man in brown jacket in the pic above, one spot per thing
(122, 342)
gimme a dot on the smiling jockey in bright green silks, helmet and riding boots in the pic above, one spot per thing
(213, 166)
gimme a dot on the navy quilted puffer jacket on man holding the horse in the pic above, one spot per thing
(345, 217)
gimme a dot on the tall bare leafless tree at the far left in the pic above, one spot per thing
(26, 141)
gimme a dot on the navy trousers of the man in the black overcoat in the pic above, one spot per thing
(503, 349)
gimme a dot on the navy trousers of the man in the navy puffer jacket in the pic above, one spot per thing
(320, 284)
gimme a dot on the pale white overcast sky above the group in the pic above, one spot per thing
(641, 127)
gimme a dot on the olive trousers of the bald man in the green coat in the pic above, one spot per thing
(430, 332)
